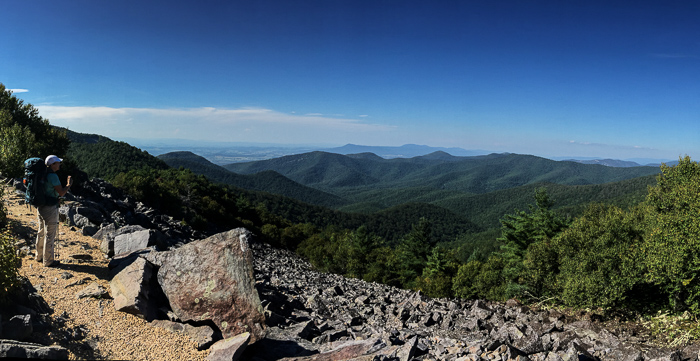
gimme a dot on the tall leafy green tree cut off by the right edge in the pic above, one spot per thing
(672, 244)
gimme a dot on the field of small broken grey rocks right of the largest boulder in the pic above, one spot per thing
(310, 312)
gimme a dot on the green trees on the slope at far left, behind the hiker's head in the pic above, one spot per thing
(24, 134)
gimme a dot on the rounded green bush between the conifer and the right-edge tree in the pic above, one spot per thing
(600, 260)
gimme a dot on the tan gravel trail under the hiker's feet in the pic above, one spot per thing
(90, 328)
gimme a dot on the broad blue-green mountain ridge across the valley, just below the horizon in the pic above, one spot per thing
(352, 174)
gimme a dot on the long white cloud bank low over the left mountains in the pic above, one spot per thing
(243, 124)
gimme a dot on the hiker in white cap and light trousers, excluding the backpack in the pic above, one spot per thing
(48, 214)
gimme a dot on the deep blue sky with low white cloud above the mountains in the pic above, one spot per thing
(616, 79)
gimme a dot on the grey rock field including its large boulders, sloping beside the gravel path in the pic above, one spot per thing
(246, 300)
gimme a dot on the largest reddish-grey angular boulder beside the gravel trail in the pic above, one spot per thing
(212, 279)
